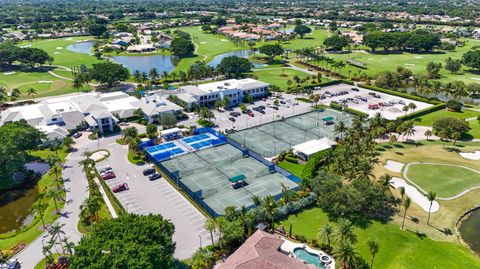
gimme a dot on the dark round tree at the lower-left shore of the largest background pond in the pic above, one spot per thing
(109, 73)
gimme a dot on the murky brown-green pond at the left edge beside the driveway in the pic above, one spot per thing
(15, 208)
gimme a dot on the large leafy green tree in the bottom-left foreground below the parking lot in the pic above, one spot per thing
(130, 241)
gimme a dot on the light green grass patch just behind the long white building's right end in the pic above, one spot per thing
(272, 76)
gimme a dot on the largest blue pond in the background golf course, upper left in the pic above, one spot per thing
(146, 63)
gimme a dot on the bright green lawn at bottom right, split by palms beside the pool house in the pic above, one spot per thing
(398, 249)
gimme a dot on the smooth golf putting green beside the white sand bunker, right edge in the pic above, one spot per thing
(446, 181)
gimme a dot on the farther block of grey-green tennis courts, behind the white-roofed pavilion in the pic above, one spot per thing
(270, 139)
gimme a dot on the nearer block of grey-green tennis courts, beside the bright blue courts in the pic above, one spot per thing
(207, 172)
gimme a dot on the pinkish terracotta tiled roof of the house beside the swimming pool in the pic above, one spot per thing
(262, 251)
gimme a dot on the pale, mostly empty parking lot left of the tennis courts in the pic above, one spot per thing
(158, 197)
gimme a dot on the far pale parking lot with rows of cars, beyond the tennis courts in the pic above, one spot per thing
(368, 101)
